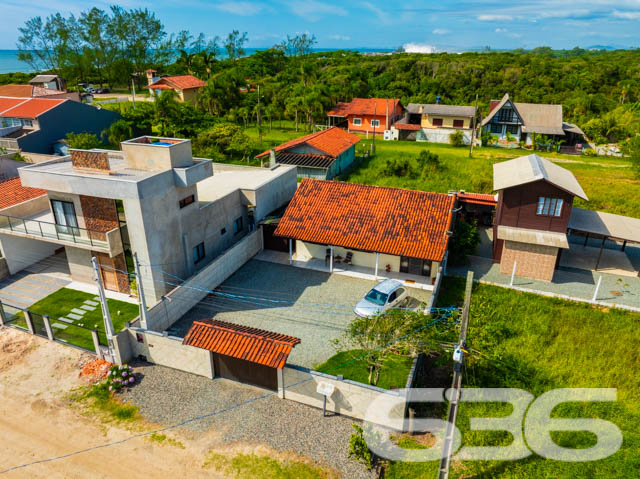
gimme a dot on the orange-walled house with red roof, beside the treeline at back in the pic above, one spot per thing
(366, 115)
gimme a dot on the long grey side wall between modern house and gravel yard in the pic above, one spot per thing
(182, 299)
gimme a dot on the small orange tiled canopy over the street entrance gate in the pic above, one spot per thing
(241, 342)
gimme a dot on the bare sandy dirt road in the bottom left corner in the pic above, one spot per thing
(36, 424)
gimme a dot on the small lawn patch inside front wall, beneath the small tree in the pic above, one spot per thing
(393, 374)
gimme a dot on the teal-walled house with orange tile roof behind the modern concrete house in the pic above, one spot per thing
(324, 154)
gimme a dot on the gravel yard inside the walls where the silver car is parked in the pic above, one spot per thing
(311, 305)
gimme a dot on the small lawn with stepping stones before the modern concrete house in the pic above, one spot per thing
(60, 303)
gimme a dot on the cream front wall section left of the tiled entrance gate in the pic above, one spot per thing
(164, 351)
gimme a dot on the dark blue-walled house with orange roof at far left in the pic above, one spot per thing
(35, 124)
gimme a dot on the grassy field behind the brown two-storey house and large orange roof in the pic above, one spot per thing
(608, 182)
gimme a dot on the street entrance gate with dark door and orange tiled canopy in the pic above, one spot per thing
(241, 353)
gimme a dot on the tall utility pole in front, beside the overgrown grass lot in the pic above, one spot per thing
(456, 386)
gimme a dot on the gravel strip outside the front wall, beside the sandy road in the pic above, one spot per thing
(167, 396)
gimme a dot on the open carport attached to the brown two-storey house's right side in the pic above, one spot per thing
(613, 232)
